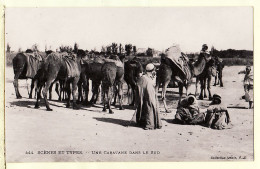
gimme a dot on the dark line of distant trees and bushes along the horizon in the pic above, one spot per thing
(230, 56)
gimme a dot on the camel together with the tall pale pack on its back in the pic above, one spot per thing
(175, 65)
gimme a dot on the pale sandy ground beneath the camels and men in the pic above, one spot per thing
(89, 134)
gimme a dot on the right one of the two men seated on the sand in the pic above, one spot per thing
(217, 114)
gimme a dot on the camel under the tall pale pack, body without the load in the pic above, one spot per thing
(168, 70)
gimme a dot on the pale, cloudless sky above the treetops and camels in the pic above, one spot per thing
(158, 28)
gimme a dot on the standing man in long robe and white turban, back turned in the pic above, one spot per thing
(147, 106)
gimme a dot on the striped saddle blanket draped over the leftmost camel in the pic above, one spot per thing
(33, 60)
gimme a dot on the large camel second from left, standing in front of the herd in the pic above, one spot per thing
(57, 67)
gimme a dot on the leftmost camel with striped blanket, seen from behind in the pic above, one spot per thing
(26, 65)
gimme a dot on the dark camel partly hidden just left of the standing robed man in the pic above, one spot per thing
(133, 69)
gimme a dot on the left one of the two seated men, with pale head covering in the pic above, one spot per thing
(188, 111)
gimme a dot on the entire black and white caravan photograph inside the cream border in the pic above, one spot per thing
(129, 84)
